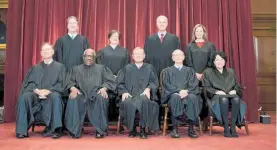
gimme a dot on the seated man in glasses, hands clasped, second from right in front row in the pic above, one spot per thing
(181, 93)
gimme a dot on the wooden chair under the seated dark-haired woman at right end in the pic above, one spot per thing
(213, 122)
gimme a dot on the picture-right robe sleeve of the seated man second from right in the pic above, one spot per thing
(193, 83)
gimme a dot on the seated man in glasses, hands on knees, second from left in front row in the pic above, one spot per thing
(88, 84)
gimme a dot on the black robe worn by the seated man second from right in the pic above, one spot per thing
(175, 80)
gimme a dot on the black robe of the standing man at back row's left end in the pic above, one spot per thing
(70, 51)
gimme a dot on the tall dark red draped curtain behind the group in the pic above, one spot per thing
(32, 22)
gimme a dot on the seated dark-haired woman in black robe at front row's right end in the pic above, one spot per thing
(222, 90)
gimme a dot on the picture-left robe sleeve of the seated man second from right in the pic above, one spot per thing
(167, 87)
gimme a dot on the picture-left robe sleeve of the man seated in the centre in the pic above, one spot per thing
(120, 80)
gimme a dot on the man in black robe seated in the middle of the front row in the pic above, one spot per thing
(136, 82)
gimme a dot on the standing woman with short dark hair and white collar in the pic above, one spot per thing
(113, 56)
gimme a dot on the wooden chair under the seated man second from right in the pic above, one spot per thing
(167, 110)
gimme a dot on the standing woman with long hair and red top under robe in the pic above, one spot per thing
(199, 51)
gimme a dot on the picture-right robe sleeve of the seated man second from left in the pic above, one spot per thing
(108, 79)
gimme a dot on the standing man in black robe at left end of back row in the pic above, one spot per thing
(69, 48)
